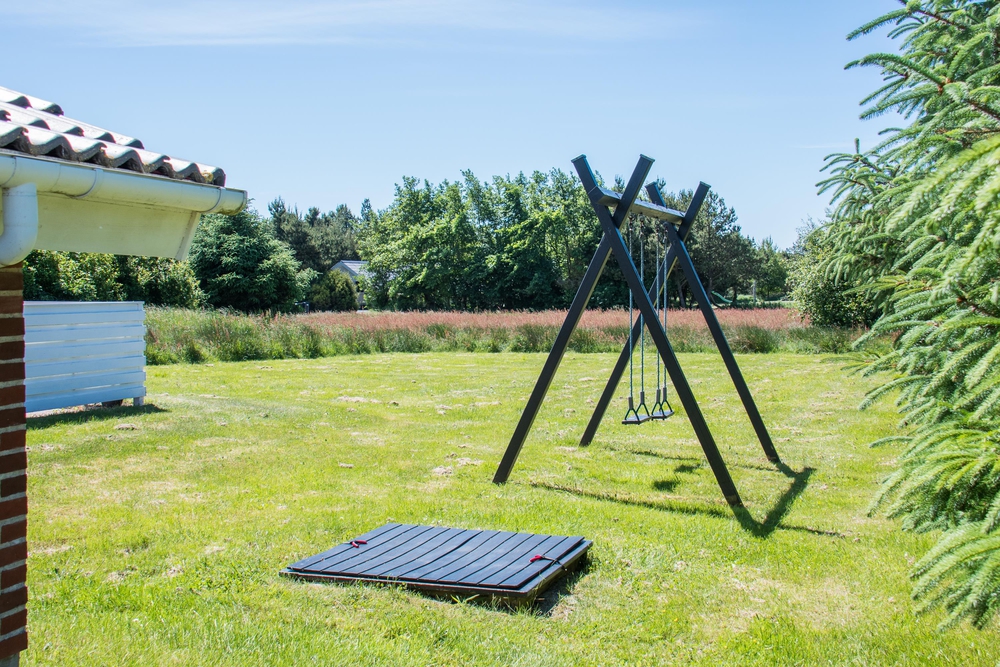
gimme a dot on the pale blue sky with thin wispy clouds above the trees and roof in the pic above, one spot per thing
(326, 102)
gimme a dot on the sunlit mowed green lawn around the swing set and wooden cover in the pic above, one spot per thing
(161, 545)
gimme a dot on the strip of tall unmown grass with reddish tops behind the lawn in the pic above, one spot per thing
(194, 336)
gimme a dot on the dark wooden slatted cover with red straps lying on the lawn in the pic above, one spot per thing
(448, 561)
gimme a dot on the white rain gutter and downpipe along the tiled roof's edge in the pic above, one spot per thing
(24, 178)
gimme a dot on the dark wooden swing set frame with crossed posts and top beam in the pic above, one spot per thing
(612, 244)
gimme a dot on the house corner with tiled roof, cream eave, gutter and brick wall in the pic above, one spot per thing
(69, 185)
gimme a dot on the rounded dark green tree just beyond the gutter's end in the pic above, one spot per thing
(242, 265)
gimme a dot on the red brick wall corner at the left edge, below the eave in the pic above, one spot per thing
(13, 465)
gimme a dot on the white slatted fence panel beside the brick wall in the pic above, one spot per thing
(79, 352)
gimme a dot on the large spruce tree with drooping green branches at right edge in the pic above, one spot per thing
(917, 222)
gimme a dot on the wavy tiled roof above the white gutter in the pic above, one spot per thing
(38, 128)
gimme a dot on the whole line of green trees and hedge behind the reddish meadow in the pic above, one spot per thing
(520, 243)
